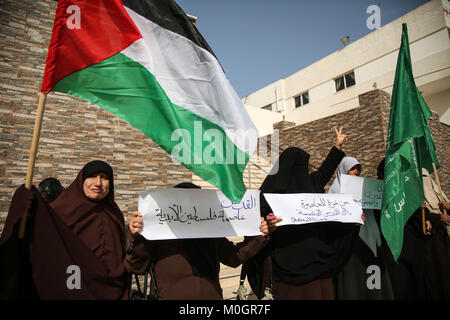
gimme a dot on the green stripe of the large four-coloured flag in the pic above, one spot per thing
(125, 88)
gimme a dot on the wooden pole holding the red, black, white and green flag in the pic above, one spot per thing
(33, 152)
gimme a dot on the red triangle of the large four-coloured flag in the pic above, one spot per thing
(105, 30)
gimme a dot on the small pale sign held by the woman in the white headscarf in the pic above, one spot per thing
(367, 191)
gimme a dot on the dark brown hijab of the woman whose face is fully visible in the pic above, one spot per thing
(99, 224)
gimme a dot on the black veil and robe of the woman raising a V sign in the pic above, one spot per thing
(303, 253)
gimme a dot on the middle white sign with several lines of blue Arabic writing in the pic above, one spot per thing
(301, 208)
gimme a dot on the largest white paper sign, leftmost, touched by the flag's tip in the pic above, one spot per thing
(197, 213)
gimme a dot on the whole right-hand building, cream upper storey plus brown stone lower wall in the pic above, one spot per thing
(353, 87)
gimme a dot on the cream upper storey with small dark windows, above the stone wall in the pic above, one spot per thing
(332, 85)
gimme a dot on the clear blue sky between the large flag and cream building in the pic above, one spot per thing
(261, 41)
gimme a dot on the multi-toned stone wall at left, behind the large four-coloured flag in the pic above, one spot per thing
(73, 131)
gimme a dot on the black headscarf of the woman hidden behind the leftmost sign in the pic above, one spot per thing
(201, 252)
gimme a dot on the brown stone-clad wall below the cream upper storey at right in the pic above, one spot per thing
(366, 127)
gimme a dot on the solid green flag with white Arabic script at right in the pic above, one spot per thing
(409, 147)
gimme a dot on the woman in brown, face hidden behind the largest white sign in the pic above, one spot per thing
(188, 268)
